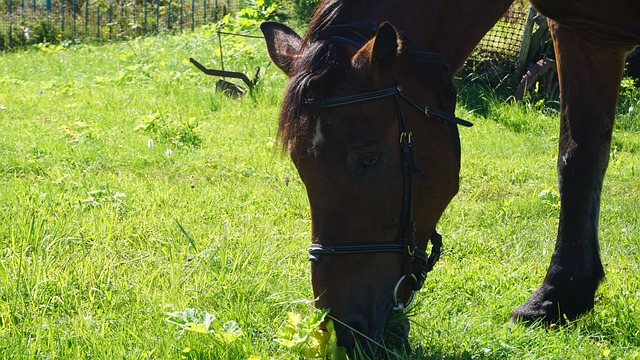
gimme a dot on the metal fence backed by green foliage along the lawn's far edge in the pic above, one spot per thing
(25, 22)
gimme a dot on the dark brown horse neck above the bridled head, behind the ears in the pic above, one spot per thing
(449, 27)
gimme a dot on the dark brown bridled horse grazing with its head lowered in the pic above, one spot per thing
(368, 120)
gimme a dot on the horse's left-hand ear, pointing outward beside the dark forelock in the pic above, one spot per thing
(283, 45)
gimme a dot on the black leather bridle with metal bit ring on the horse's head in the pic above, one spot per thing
(405, 240)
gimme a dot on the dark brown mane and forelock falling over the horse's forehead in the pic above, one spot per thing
(316, 68)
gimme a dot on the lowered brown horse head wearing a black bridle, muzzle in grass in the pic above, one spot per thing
(367, 119)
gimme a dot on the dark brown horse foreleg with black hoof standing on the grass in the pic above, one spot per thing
(589, 83)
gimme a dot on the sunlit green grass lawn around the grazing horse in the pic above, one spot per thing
(101, 235)
